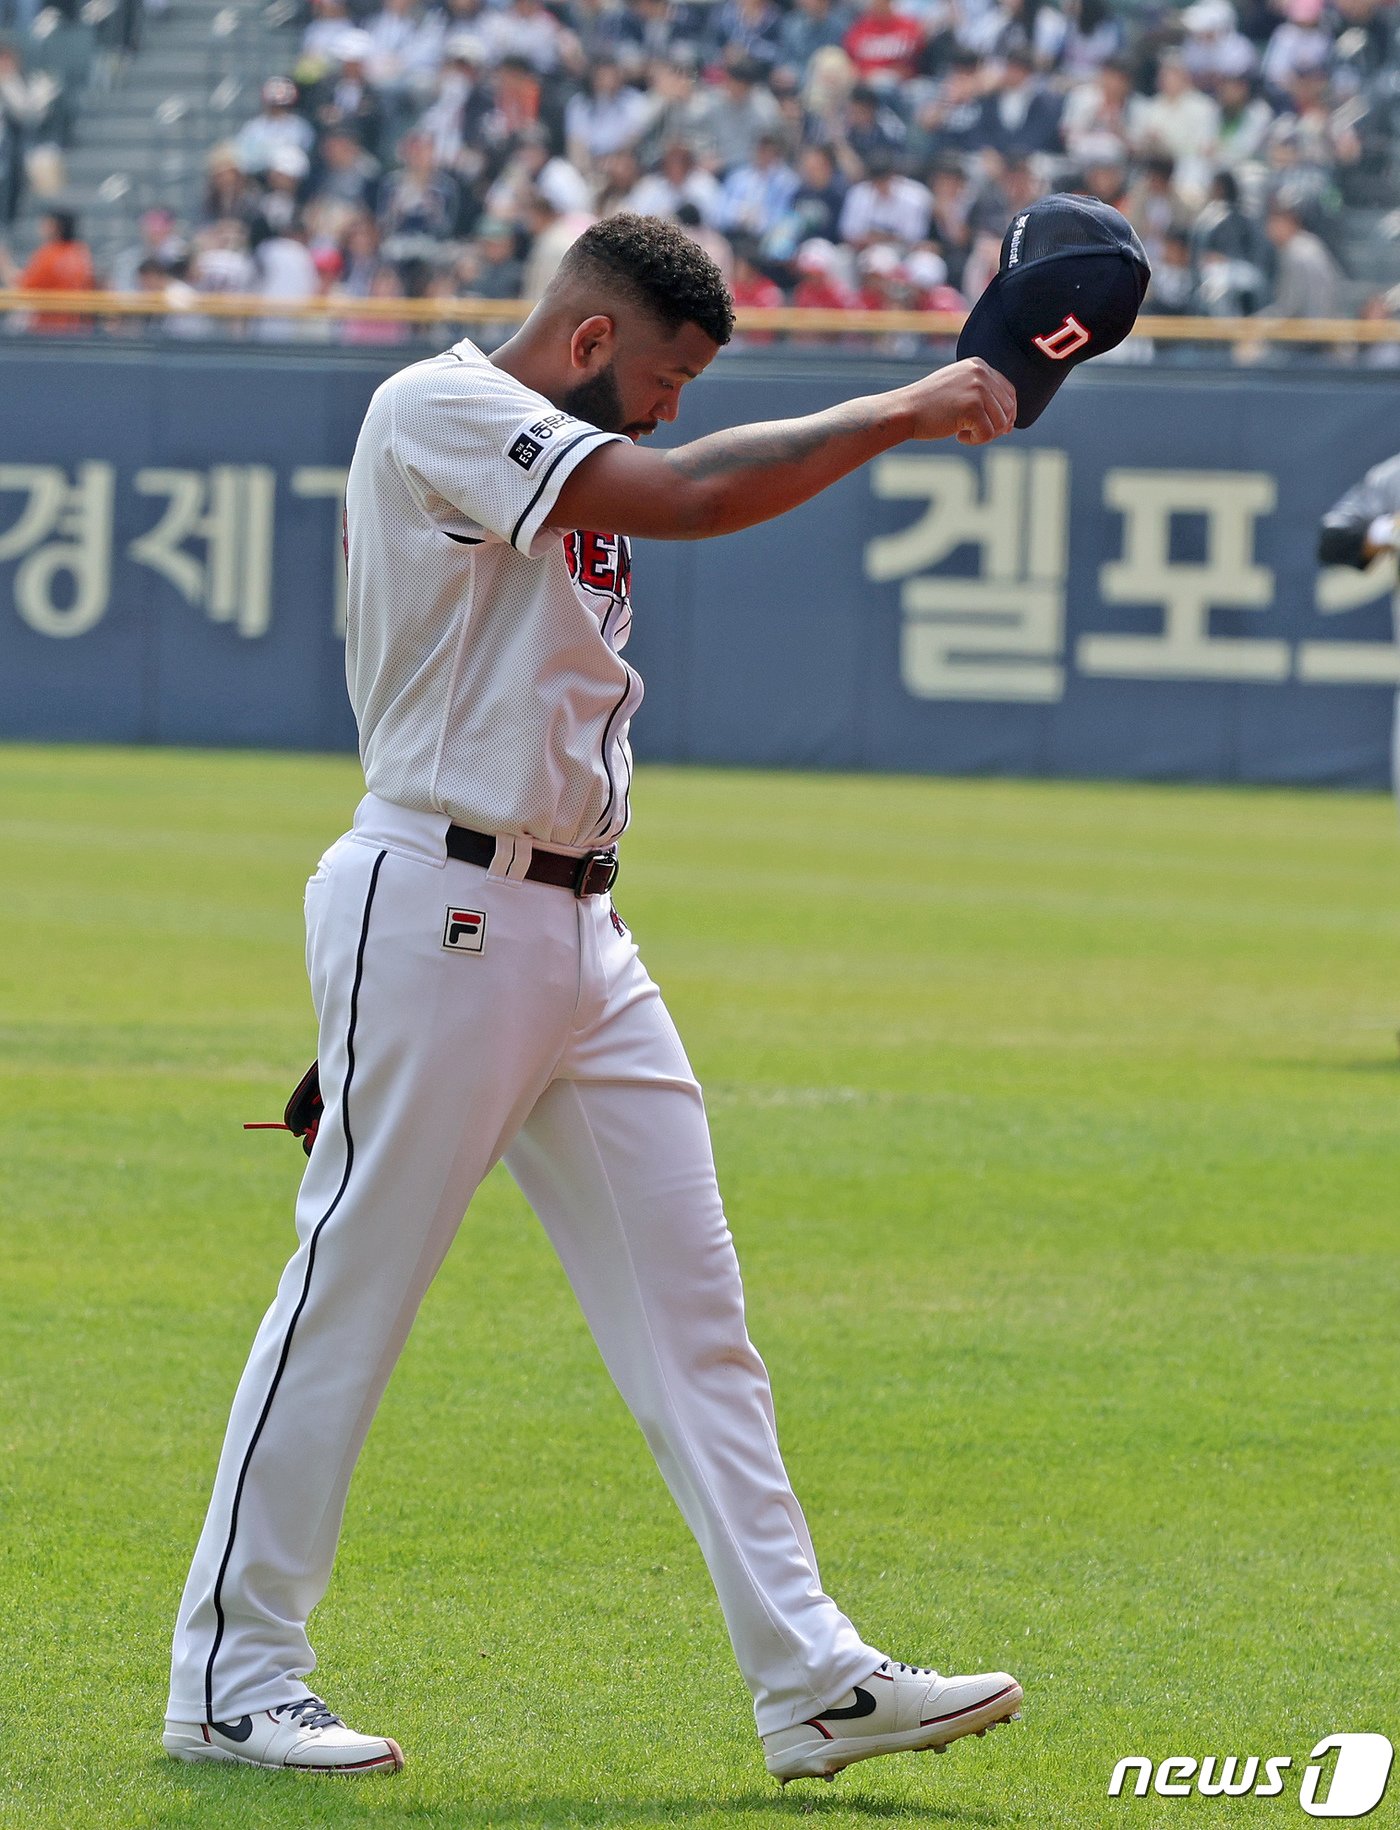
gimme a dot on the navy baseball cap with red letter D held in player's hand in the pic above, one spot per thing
(1070, 286)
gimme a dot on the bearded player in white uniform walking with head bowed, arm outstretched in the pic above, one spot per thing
(479, 998)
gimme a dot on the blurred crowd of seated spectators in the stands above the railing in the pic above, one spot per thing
(826, 153)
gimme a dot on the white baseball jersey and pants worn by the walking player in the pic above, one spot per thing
(469, 1015)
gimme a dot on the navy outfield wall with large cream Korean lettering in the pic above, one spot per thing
(1126, 590)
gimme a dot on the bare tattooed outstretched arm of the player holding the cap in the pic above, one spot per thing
(748, 475)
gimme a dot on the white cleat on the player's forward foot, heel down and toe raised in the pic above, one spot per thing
(896, 1710)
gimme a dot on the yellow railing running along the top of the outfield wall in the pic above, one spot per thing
(788, 321)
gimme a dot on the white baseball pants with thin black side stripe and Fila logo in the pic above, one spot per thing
(550, 1048)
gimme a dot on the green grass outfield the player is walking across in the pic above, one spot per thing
(1059, 1134)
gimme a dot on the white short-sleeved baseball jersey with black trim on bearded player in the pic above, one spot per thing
(482, 638)
